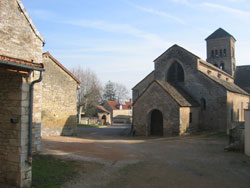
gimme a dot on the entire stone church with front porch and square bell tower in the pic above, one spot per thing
(185, 93)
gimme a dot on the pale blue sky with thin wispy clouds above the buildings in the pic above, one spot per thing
(119, 39)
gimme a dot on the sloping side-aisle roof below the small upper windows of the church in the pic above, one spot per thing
(227, 85)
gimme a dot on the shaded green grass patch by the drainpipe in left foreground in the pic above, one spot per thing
(50, 172)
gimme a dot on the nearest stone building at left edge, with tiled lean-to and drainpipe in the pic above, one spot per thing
(21, 48)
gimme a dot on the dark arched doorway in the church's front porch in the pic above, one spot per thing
(156, 124)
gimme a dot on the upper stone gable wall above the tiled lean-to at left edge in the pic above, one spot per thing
(17, 39)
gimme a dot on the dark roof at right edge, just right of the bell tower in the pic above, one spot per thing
(242, 76)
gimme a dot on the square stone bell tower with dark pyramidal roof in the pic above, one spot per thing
(221, 50)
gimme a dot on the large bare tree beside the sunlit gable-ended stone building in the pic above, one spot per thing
(90, 90)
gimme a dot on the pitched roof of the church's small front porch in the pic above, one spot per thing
(179, 95)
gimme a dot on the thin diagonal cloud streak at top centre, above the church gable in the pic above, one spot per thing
(160, 13)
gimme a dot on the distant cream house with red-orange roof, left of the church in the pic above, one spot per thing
(120, 113)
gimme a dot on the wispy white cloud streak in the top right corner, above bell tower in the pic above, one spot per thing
(230, 10)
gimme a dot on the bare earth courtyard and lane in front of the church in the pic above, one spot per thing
(139, 162)
